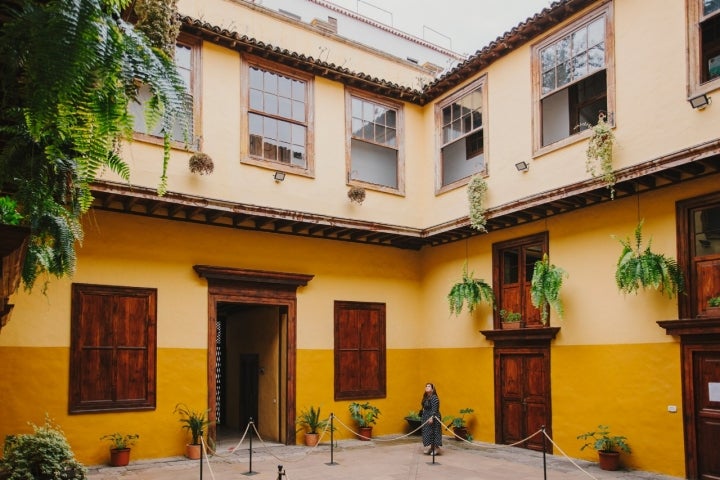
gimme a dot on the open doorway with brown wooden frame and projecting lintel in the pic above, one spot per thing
(252, 312)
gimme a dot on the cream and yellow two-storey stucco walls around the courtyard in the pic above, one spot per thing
(609, 362)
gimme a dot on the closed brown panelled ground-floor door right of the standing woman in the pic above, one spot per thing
(522, 392)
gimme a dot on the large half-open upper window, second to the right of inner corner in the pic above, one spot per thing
(573, 74)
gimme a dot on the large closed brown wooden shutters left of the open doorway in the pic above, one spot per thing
(113, 348)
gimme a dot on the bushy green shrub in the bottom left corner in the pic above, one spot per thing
(45, 453)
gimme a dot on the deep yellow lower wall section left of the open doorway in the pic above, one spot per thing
(39, 379)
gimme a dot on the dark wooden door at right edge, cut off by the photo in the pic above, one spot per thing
(706, 388)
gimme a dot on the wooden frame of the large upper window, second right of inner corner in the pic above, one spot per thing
(606, 10)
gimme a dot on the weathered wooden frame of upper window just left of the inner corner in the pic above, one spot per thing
(353, 177)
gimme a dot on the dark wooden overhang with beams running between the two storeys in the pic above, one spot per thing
(636, 180)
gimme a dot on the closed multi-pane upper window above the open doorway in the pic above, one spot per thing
(278, 118)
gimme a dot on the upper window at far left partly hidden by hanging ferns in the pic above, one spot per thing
(186, 53)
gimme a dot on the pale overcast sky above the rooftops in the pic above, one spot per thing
(465, 26)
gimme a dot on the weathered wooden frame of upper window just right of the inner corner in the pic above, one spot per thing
(481, 84)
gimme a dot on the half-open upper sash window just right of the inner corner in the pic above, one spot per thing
(462, 134)
